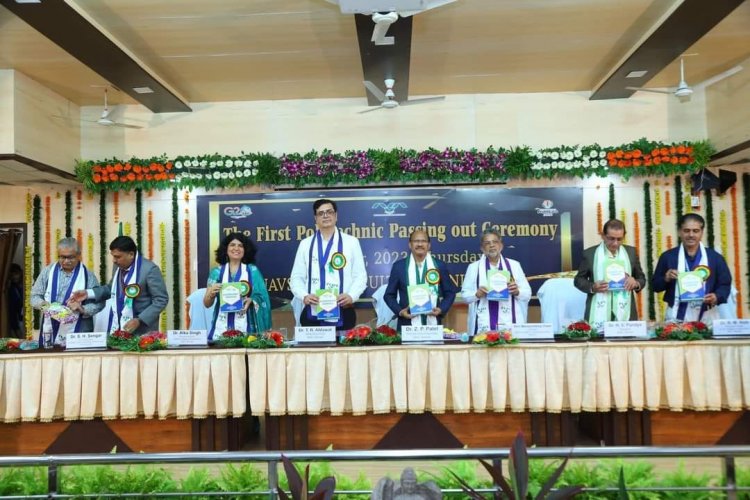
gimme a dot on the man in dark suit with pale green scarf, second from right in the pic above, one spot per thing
(608, 274)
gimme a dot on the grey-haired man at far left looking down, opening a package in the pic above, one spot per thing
(54, 286)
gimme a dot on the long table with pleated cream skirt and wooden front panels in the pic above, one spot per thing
(355, 396)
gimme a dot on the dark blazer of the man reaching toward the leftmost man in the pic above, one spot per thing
(152, 300)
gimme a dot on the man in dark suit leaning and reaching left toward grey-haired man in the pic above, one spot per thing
(137, 289)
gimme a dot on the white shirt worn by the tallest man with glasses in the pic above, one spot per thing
(355, 274)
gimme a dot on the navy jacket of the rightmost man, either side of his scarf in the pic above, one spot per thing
(719, 282)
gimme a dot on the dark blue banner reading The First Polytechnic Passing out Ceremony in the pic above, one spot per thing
(542, 228)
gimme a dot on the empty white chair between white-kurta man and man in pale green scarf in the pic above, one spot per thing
(562, 303)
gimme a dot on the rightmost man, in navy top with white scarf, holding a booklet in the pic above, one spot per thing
(694, 278)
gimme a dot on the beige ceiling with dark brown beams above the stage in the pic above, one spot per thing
(240, 50)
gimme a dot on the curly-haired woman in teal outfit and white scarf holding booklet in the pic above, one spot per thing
(236, 257)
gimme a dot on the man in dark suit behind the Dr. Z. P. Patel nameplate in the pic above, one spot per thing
(417, 269)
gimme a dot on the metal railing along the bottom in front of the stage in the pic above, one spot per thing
(727, 454)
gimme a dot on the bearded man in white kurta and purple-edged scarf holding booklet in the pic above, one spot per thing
(486, 315)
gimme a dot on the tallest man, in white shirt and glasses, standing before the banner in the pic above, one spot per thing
(329, 273)
